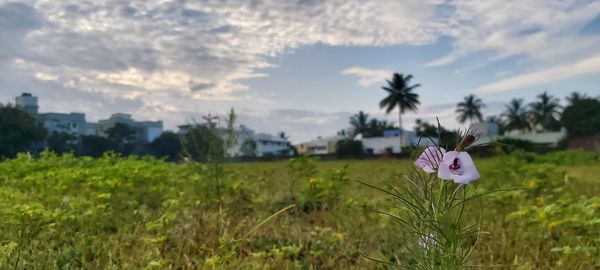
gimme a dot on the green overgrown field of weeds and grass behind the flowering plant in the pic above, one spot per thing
(65, 212)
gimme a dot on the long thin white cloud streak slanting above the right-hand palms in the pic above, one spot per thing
(557, 73)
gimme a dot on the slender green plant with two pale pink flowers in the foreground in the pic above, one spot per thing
(432, 202)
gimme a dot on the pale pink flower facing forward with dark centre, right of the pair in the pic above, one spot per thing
(458, 167)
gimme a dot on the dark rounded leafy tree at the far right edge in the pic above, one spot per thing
(582, 118)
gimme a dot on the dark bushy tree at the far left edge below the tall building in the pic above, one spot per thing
(19, 132)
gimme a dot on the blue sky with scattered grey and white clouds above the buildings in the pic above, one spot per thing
(303, 67)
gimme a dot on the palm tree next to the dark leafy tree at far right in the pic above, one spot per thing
(545, 110)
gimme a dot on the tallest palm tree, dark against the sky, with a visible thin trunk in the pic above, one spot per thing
(400, 94)
